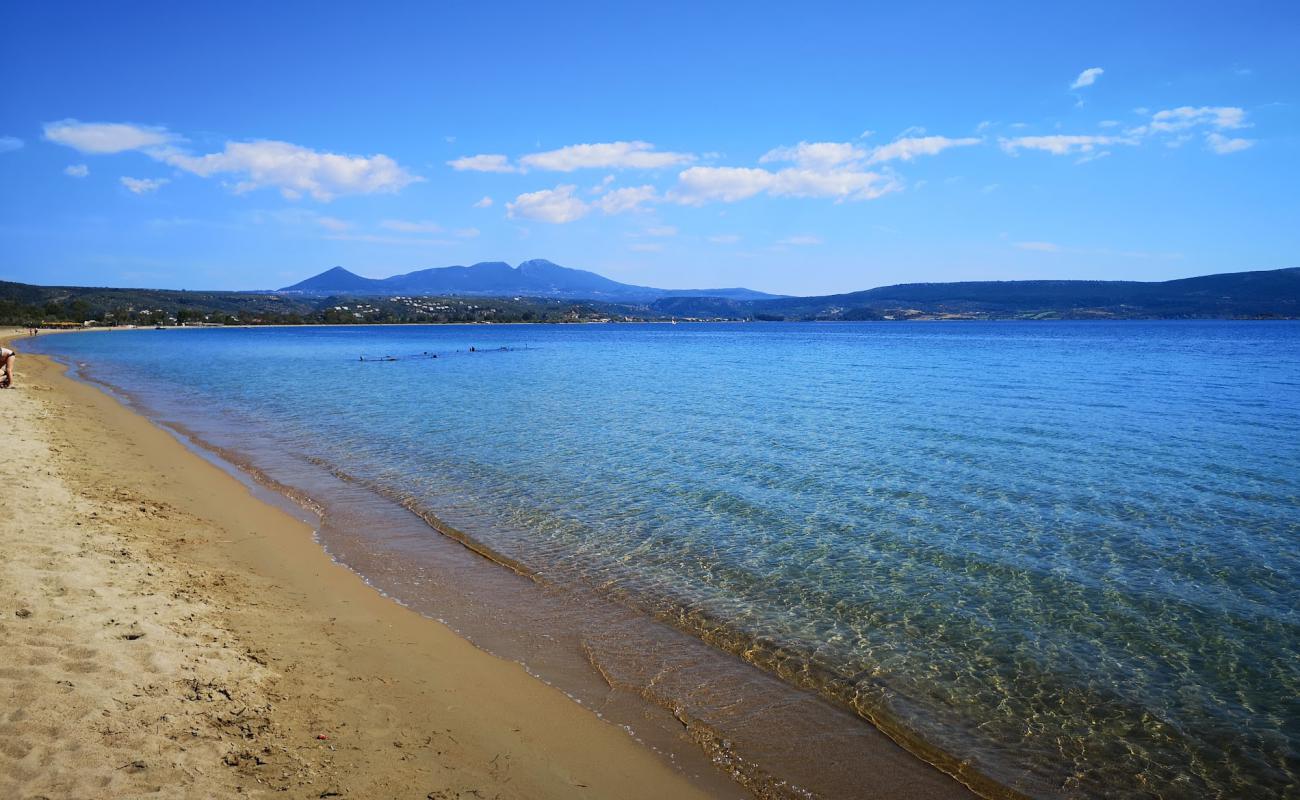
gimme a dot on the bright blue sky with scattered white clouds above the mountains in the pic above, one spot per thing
(800, 149)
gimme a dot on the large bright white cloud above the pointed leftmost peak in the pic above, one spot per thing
(294, 170)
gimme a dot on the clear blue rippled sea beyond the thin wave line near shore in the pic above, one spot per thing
(1067, 555)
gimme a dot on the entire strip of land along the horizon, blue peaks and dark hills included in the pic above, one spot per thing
(543, 292)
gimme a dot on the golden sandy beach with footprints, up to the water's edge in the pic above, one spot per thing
(164, 633)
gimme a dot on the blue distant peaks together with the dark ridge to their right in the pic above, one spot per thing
(1263, 293)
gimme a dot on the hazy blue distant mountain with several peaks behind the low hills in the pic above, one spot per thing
(538, 278)
